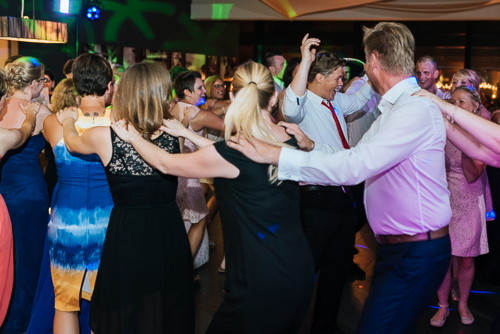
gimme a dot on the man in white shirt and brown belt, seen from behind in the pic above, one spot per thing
(401, 157)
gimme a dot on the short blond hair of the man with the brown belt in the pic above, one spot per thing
(394, 46)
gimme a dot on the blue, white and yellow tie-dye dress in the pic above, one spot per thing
(77, 227)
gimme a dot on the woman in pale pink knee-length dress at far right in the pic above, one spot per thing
(466, 181)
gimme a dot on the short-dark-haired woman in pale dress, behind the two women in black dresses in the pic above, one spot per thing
(190, 89)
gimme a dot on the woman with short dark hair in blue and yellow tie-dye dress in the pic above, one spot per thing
(82, 202)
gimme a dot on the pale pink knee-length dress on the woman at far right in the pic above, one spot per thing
(468, 205)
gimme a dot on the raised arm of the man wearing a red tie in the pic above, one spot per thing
(295, 93)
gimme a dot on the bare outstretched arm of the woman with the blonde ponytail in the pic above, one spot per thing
(202, 164)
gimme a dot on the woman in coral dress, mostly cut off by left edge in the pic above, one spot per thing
(10, 139)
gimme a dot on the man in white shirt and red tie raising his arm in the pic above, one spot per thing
(327, 212)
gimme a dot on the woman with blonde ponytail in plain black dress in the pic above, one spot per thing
(270, 269)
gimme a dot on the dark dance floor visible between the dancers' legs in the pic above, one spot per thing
(484, 302)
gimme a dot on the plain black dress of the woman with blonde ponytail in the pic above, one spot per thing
(269, 266)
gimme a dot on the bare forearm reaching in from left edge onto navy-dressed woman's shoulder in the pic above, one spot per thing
(13, 138)
